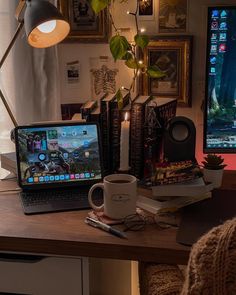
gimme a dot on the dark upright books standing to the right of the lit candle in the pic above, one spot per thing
(149, 115)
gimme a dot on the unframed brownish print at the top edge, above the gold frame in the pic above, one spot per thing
(173, 16)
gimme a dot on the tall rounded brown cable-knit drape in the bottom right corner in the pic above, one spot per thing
(212, 265)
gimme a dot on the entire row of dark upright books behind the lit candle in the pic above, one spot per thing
(148, 116)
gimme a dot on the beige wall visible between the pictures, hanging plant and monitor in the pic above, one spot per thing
(197, 13)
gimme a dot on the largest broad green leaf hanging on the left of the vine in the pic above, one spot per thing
(119, 46)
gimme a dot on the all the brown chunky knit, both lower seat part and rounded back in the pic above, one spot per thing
(211, 268)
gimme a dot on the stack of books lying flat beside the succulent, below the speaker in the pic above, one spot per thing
(174, 186)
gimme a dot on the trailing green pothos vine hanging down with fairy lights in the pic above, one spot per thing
(122, 49)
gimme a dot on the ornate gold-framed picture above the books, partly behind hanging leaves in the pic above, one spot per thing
(172, 56)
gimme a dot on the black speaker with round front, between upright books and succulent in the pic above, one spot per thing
(179, 139)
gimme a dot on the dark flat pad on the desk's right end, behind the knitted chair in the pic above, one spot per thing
(197, 219)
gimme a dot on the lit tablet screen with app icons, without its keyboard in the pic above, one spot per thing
(58, 155)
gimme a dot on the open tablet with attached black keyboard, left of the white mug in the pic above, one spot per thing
(57, 163)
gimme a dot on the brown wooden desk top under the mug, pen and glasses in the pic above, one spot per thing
(65, 233)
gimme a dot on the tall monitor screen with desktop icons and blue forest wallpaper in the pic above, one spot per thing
(220, 94)
